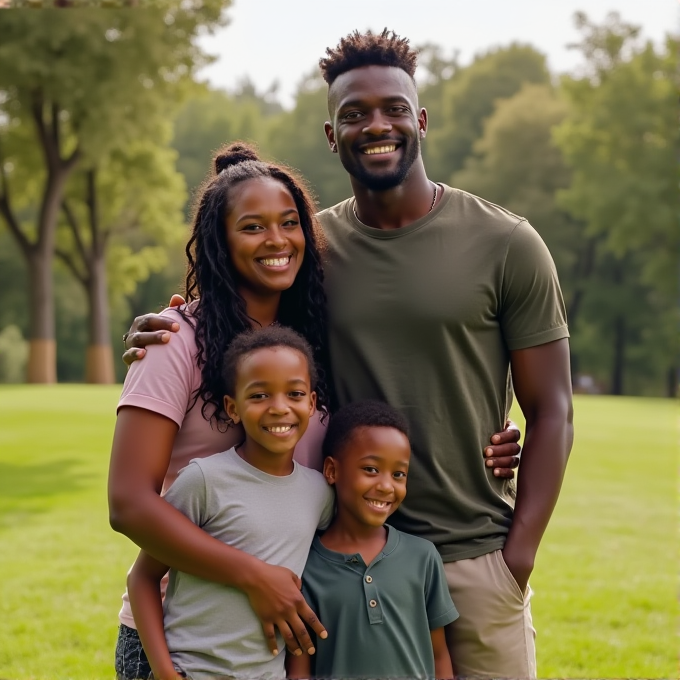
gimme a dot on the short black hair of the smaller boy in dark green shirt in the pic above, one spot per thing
(358, 414)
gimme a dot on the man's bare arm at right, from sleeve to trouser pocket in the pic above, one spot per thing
(542, 383)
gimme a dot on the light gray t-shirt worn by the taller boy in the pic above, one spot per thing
(210, 628)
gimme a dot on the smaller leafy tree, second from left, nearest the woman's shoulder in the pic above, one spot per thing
(133, 195)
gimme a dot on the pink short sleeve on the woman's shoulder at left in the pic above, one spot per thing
(163, 382)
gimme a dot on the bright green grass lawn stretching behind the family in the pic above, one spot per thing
(605, 581)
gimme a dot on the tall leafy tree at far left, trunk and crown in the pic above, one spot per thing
(78, 89)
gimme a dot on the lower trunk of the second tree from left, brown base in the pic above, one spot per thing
(99, 363)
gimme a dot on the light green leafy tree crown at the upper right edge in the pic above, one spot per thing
(621, 140)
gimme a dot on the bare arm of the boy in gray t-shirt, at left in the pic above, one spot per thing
(145, 599)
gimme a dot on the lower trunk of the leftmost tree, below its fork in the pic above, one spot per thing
(42, 358)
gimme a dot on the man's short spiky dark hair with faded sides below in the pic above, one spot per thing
(368, 49)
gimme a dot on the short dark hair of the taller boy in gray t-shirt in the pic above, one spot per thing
(264, 338)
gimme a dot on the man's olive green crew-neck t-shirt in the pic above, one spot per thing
(424, 318)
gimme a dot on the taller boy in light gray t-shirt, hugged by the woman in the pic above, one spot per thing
(246, 498)
